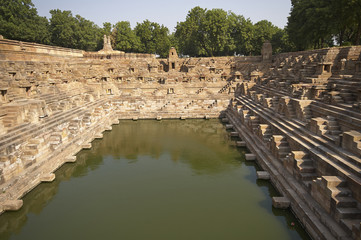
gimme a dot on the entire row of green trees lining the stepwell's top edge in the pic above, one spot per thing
(214, 32)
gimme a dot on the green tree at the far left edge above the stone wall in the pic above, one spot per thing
(19, 20)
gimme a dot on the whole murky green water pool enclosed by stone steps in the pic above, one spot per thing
(155, 180)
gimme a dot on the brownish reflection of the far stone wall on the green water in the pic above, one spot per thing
(208, 142)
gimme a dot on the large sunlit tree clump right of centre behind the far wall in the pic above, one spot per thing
(215, 33)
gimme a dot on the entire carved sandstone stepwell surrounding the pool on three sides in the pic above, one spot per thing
(298, 114)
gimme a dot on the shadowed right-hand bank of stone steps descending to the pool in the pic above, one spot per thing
(302, 120)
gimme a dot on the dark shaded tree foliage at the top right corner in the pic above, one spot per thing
(321, 23)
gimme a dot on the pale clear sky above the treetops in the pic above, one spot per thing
(164, 12)
